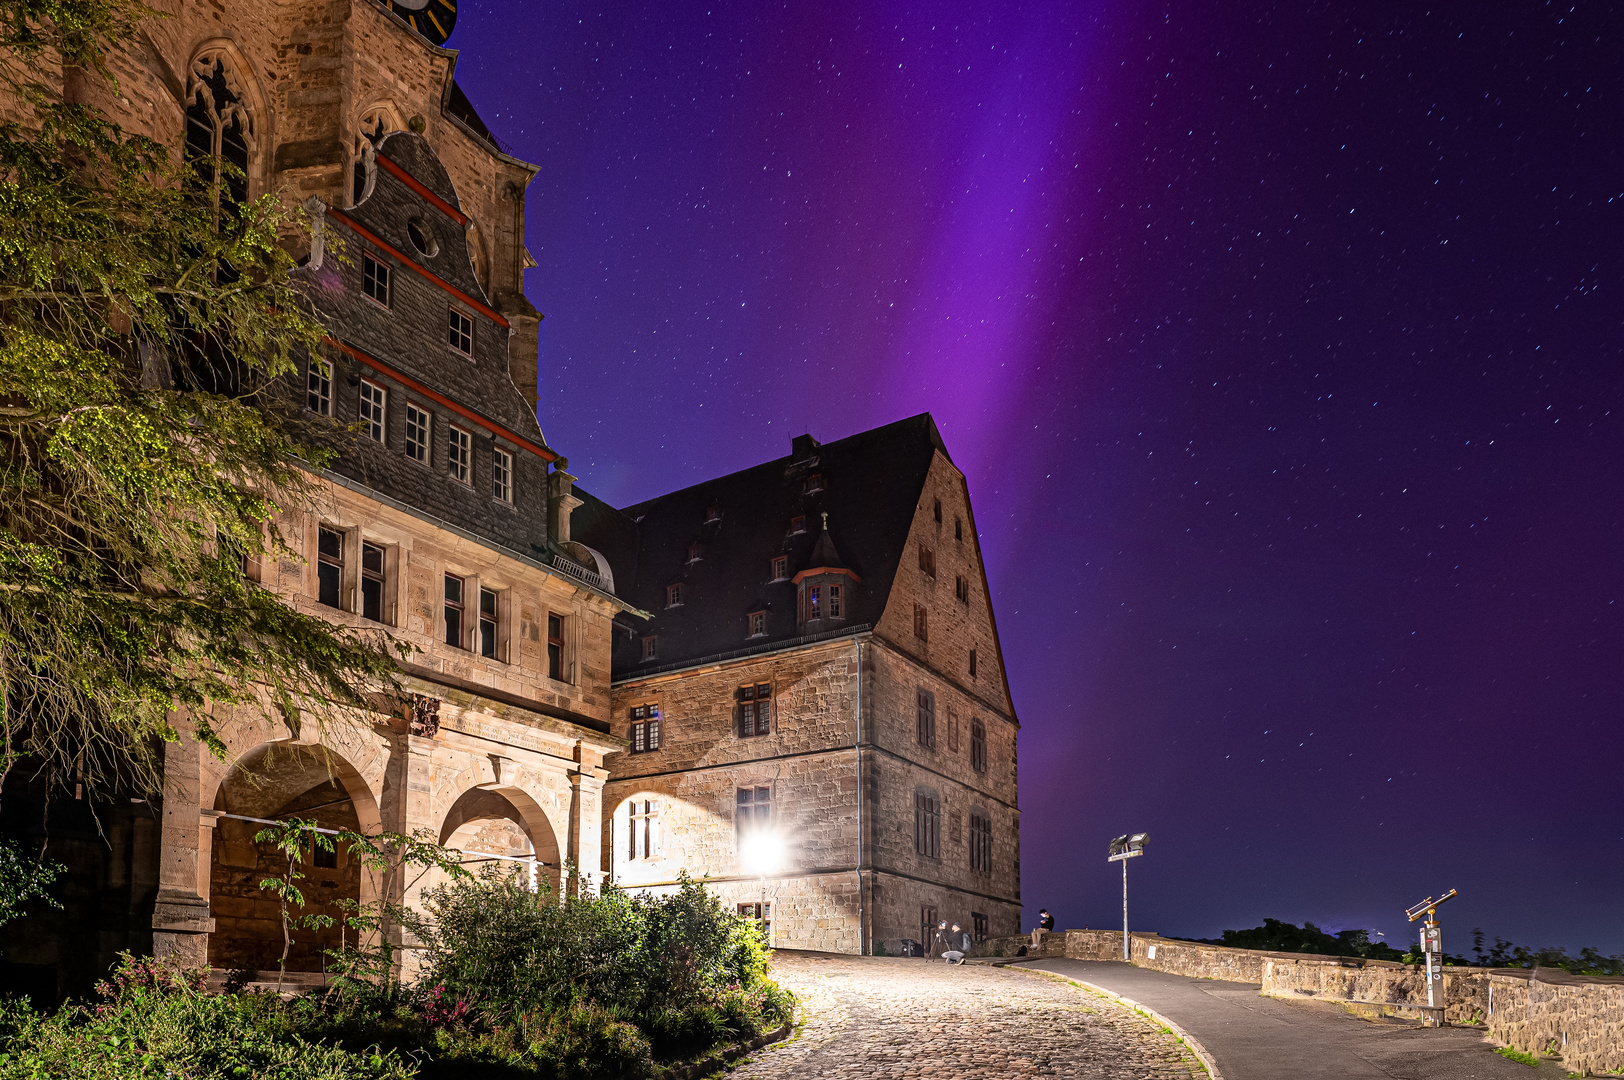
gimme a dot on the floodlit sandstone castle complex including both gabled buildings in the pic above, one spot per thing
(805, 649)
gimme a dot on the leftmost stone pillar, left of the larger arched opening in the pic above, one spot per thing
(181, 917)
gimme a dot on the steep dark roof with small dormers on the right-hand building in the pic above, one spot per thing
(871, 488)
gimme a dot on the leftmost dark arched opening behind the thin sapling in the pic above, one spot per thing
(277, 782)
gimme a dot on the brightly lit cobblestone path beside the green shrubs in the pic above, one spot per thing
(892, 1017)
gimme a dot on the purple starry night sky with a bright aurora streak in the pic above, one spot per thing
(1282, 350)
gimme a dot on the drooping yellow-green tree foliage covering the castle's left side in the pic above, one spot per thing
(147, 439)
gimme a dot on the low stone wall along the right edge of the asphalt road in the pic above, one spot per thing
(1581, 1019)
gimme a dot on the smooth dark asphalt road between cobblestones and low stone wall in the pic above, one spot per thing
(1264, 1039)
